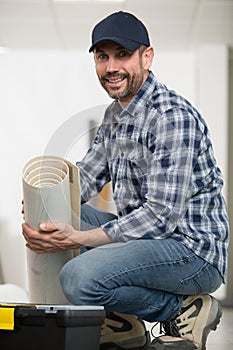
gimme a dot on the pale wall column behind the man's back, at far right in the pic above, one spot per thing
(212, 98)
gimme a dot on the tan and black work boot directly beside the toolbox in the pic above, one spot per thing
(121, 331)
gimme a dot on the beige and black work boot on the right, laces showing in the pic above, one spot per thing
(189, 330)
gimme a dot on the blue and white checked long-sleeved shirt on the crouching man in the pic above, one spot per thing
(158, 154)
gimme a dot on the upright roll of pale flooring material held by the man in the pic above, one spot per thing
(51, 193)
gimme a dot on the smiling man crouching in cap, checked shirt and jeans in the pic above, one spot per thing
(166, 248)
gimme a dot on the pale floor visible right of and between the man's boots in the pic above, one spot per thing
(222, 338)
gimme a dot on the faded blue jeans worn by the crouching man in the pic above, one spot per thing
(147, 278)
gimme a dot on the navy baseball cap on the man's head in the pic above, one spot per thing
(123, 28)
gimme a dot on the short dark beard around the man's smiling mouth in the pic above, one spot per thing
(134, 82)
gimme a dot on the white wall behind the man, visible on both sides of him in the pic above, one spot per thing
(42, 91)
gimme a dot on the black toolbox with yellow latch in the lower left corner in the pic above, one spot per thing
(50, 327)
